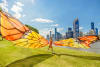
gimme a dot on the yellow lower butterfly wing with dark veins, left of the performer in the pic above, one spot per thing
(32, 40)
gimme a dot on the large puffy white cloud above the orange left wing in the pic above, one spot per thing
(17, 9)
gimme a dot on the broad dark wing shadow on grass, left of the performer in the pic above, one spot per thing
(30, 61)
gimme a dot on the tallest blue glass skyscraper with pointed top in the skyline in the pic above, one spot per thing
(76, 28)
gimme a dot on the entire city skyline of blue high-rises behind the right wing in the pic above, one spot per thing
(73, 32)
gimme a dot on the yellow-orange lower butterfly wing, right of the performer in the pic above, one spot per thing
(70, 43)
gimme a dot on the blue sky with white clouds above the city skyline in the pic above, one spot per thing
(45, 15)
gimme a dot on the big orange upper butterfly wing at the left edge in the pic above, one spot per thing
(11, 28)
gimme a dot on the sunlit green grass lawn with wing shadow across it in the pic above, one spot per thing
(15, 56)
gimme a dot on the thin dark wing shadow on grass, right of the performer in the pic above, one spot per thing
(84, 57)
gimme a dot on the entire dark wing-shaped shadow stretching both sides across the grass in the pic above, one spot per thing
(33, 60)
